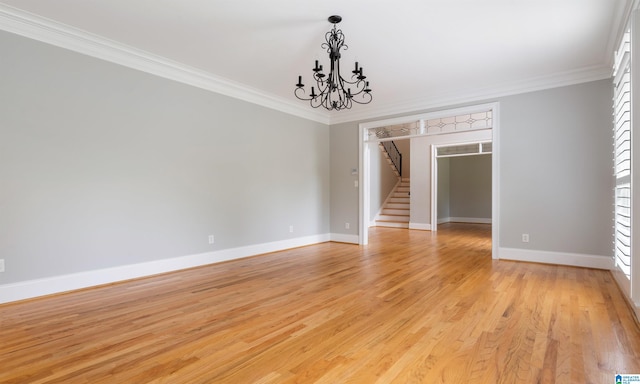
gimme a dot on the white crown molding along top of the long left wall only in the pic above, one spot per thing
(51, 32)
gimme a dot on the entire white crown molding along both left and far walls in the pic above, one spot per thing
(51, 32)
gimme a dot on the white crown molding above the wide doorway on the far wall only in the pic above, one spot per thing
(561, 79)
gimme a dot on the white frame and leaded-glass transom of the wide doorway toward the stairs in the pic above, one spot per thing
(435, 129)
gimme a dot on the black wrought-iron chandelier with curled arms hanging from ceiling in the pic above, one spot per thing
(334, 91)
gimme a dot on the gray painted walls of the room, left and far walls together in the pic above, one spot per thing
(104, 166)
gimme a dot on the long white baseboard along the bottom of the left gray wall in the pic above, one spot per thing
(57, 284)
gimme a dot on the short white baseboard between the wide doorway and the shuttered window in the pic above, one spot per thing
(559, 258)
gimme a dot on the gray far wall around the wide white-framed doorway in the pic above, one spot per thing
(555, 169)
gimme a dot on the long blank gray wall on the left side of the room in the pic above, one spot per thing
(104, 166)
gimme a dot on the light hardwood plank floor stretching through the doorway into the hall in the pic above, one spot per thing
(411, 307)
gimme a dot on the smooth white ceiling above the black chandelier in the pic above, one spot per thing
(417, 53)
